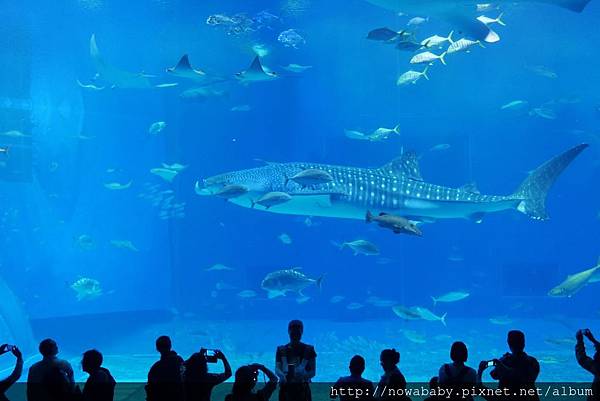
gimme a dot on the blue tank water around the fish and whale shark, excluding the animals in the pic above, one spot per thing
(58, 226)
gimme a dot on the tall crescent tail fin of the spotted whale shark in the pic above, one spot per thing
(534, 189)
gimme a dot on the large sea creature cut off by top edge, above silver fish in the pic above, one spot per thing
(462, 14)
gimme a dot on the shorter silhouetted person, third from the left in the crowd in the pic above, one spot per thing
(100, 385)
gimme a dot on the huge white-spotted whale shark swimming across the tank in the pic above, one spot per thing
(395, 188)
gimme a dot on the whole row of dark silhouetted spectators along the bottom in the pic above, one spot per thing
(173, 379)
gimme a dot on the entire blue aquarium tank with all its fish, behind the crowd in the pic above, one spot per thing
(395, 173)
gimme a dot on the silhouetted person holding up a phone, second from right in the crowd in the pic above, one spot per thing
(515, 371)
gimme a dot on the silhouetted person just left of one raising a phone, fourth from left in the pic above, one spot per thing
(165, 378)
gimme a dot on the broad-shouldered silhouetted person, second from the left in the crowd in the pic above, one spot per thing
(50, 379)
